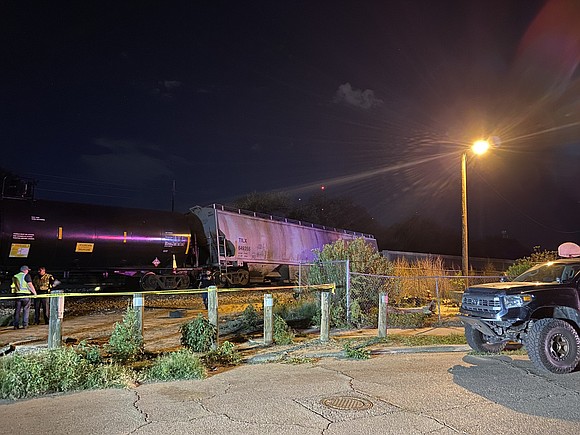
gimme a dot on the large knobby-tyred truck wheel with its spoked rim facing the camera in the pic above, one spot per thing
(554, 345)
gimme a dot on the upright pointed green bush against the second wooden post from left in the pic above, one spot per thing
(126, 341)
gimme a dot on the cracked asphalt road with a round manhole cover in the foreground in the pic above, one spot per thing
(396, 393)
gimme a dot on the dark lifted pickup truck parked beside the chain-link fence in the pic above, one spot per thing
(539, 309)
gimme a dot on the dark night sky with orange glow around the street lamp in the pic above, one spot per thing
(110, 102)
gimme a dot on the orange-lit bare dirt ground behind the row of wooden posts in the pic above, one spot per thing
(92, 318)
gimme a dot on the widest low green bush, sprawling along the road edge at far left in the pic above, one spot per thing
(57, 370)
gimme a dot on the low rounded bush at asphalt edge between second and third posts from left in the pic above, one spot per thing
(183, 364)
